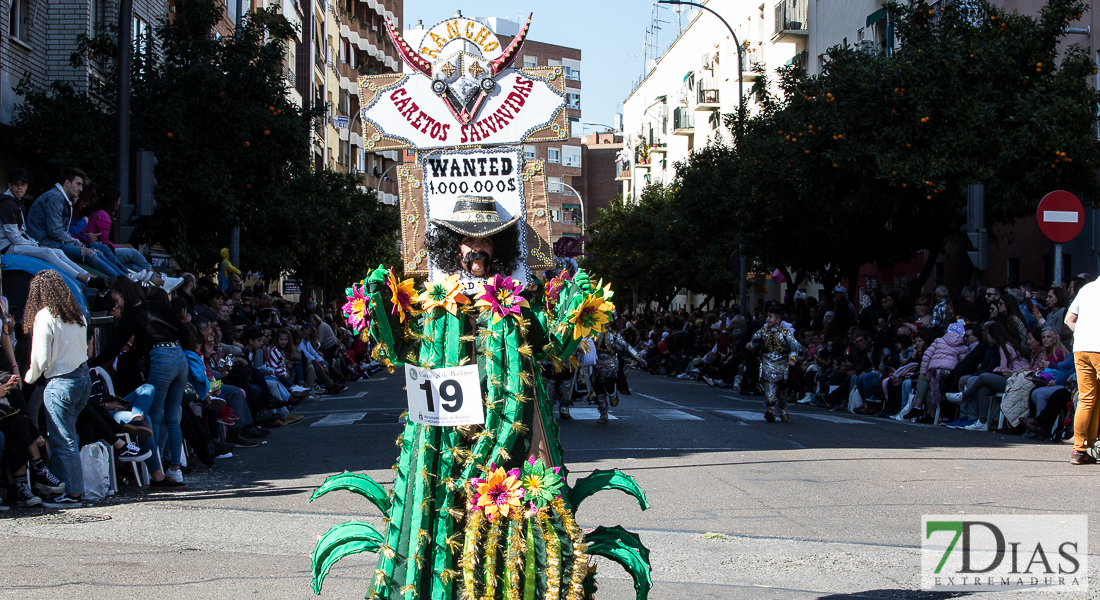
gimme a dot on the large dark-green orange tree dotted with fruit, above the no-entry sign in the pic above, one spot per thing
(868, 161)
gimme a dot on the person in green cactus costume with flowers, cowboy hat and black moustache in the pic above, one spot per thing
(483, 511)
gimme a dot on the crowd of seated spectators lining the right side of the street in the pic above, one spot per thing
(971, 358)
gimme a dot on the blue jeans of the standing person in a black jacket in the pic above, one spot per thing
(168, 374)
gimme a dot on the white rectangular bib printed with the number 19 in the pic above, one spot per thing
(448, 397)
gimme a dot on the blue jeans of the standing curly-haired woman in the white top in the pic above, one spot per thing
(64, 398)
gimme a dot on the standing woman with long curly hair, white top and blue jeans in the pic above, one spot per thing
(60, 353)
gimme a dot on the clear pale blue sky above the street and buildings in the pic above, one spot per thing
(611, 37)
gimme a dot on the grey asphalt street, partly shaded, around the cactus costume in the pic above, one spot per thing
(826, 507)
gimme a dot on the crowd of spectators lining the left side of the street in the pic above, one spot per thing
(186, 372)
